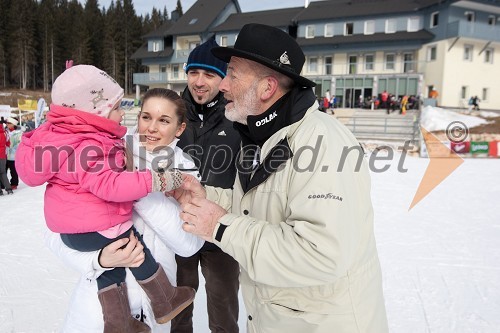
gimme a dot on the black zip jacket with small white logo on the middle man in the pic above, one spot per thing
(213, 143)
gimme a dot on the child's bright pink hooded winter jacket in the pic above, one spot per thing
(81, 157)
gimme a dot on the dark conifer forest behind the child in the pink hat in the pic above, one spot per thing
(38, 36)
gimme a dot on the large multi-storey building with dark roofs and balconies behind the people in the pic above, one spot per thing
(358, 48)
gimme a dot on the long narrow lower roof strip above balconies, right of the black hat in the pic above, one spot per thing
(421, 35)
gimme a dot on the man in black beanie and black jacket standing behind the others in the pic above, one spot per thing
(213, 143)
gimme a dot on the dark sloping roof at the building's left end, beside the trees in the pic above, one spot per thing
(199, 17)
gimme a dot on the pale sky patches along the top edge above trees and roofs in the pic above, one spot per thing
(143, 7)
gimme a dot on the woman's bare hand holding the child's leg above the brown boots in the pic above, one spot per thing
(125, 252)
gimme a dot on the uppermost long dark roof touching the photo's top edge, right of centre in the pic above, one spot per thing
(332, 9)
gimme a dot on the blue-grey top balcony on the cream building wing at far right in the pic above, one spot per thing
(474, 30)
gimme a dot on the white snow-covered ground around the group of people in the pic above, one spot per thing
(440, 261)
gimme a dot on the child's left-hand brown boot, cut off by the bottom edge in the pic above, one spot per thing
(116, 311)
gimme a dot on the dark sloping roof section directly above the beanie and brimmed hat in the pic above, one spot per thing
(275, 18)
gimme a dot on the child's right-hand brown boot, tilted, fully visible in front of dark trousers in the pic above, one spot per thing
(167, 301)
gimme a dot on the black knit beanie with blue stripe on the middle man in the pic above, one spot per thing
(201, 57)
